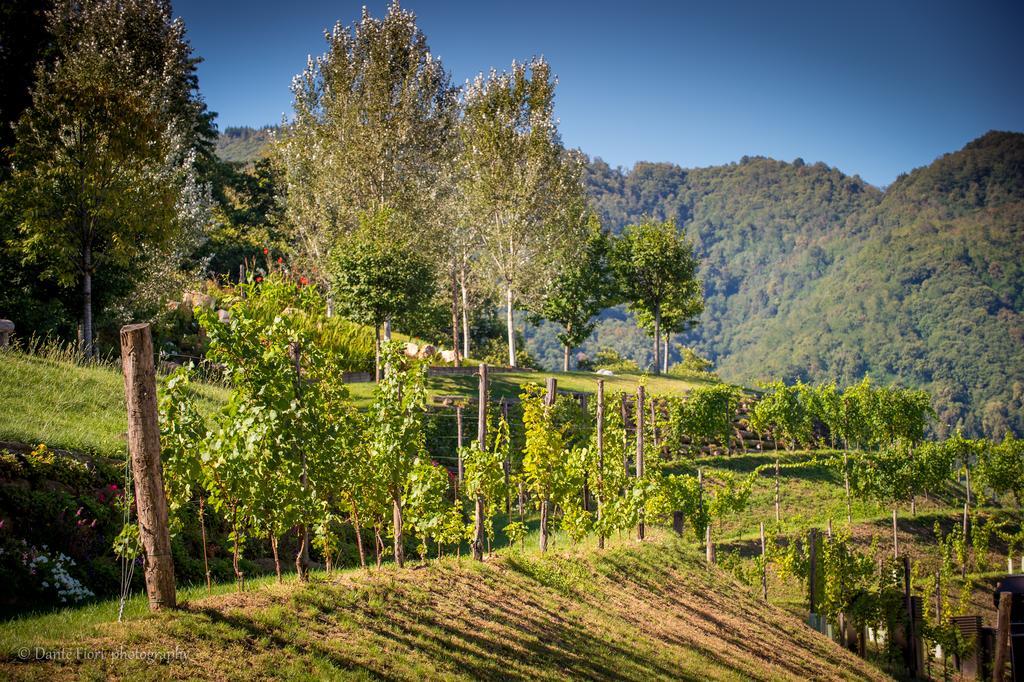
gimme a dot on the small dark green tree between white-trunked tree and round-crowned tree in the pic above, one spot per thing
(580, 290)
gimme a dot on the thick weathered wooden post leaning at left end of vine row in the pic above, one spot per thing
(144, 448)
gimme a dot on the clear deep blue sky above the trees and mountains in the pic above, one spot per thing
(873, 89)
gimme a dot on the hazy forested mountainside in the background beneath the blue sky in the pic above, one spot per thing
(813, 274)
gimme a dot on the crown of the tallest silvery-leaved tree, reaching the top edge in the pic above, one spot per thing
(373, 131)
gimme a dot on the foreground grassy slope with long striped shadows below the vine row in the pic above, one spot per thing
(639, 613)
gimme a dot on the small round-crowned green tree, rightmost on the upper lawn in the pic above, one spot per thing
(657, 273)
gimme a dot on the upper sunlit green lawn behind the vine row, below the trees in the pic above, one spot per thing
(81, 408)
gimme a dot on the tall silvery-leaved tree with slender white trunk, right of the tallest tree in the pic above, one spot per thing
(522, 190)
